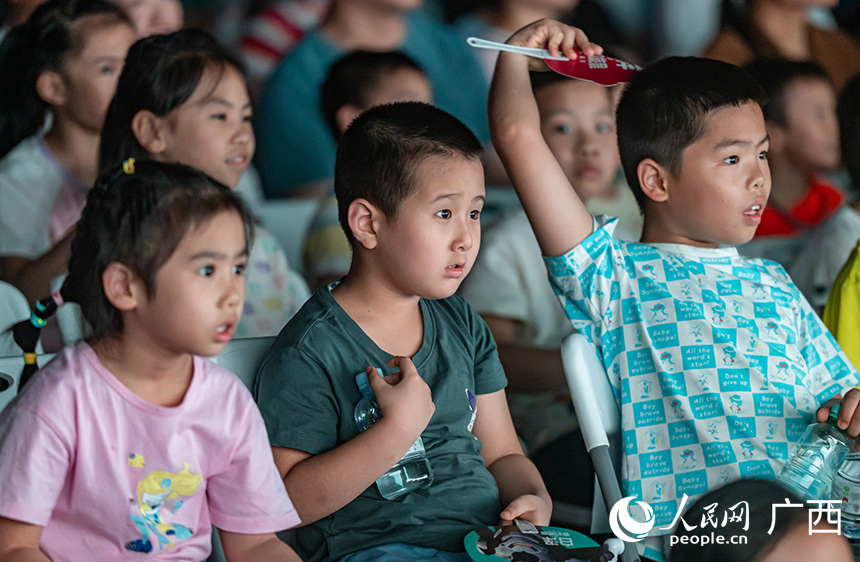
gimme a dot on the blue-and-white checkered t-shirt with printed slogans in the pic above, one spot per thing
(717, 361)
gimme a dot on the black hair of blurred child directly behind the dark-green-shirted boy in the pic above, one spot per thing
(352, 78)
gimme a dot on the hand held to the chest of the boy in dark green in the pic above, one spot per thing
(404, 397)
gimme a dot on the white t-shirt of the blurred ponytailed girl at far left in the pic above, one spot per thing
(40, 201)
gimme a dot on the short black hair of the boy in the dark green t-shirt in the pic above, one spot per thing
(379, 152)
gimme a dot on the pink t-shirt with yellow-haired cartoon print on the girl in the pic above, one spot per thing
(111, 476)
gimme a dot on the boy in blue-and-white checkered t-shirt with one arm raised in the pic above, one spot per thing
(718, 361)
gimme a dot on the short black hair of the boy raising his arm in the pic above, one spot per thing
(664, 107)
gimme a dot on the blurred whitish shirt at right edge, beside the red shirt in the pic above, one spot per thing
(825, 252)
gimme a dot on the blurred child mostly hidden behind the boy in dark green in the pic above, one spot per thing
(355, 83)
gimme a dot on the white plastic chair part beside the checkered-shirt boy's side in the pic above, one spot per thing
(599, 418)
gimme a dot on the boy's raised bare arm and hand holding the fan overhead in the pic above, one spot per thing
(558, 217)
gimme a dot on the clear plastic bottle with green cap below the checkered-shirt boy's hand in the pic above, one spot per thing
(814, 461)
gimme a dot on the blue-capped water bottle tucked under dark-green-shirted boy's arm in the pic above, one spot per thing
(412, 472)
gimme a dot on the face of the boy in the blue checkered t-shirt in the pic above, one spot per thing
(723, 182)
